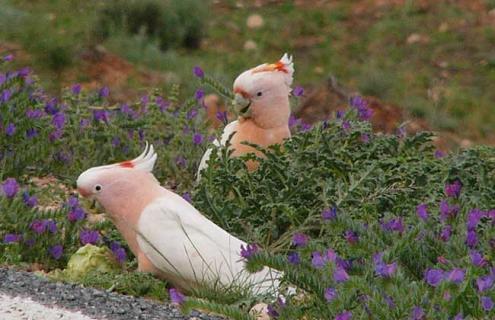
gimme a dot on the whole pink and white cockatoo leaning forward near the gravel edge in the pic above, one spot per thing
(169, 237)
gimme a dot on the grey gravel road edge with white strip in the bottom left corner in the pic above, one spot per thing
(20, 290)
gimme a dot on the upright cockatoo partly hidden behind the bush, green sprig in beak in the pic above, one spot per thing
(262, 100)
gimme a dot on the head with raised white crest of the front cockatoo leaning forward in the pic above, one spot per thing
(120, 182)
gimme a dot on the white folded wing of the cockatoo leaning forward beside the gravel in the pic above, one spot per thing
(191, 250)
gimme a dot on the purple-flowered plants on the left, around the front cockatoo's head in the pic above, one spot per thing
(42, 135)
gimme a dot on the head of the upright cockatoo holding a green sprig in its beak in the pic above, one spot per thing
(262, 93)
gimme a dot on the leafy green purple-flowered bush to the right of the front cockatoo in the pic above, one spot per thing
(382, 227)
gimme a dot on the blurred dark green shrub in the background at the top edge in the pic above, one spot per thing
(173, 23)
